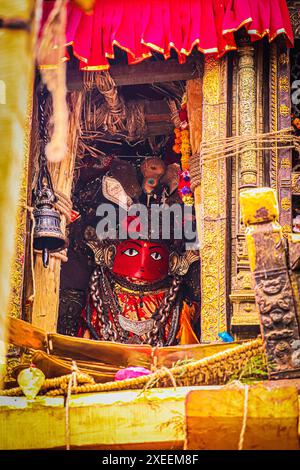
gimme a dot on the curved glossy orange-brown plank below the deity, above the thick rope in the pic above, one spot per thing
(22, 333)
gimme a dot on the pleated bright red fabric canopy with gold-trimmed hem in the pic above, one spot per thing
(141, 26)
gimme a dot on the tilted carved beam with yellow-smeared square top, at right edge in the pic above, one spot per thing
(271, 279)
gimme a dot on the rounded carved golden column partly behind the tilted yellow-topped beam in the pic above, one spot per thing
(246, 172)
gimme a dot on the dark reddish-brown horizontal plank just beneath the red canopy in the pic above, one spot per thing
(143, 73)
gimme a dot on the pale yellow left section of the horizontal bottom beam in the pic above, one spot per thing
(118, 419)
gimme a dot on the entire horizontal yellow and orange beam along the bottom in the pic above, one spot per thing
(155, 419)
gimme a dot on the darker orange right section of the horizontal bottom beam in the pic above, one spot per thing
(214, 418)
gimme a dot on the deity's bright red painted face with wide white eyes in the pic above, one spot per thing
(142, 260)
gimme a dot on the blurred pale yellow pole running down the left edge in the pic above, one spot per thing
(16, 74)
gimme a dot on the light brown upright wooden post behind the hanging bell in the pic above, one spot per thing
(47, 281)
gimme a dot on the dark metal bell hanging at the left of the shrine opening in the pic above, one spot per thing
(47, 236)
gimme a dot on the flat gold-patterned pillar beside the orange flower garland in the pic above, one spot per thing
(214, 220)
